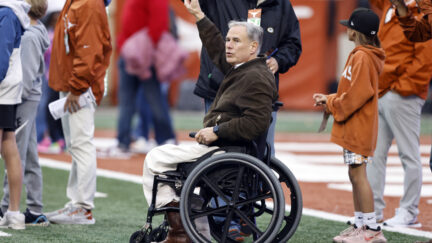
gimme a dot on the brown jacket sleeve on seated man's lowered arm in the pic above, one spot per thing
(255, 118)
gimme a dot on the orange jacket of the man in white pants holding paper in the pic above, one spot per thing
(89, 42)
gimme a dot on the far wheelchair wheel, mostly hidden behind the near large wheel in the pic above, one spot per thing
(293, 200)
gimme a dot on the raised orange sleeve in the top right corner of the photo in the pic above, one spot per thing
(415, 29)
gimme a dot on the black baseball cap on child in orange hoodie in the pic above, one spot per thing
(364, 21)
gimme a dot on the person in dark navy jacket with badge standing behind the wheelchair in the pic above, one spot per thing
(281, 37)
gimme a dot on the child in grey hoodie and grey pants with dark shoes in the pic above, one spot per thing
(34, 43)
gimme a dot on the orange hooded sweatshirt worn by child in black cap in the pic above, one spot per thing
(355, 105)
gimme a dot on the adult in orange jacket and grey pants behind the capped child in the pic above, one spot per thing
(403, 88)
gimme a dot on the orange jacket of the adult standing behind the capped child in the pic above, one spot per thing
(408, 65)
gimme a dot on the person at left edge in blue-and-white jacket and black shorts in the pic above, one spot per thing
(13, 21)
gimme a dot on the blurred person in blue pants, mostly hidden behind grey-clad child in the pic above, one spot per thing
(49, 131)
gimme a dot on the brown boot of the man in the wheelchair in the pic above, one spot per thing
(176, 233)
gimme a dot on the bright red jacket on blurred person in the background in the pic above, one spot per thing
(138, 14)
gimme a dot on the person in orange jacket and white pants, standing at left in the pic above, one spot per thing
(80, 56)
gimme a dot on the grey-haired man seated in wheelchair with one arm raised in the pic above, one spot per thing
(240, 113)
